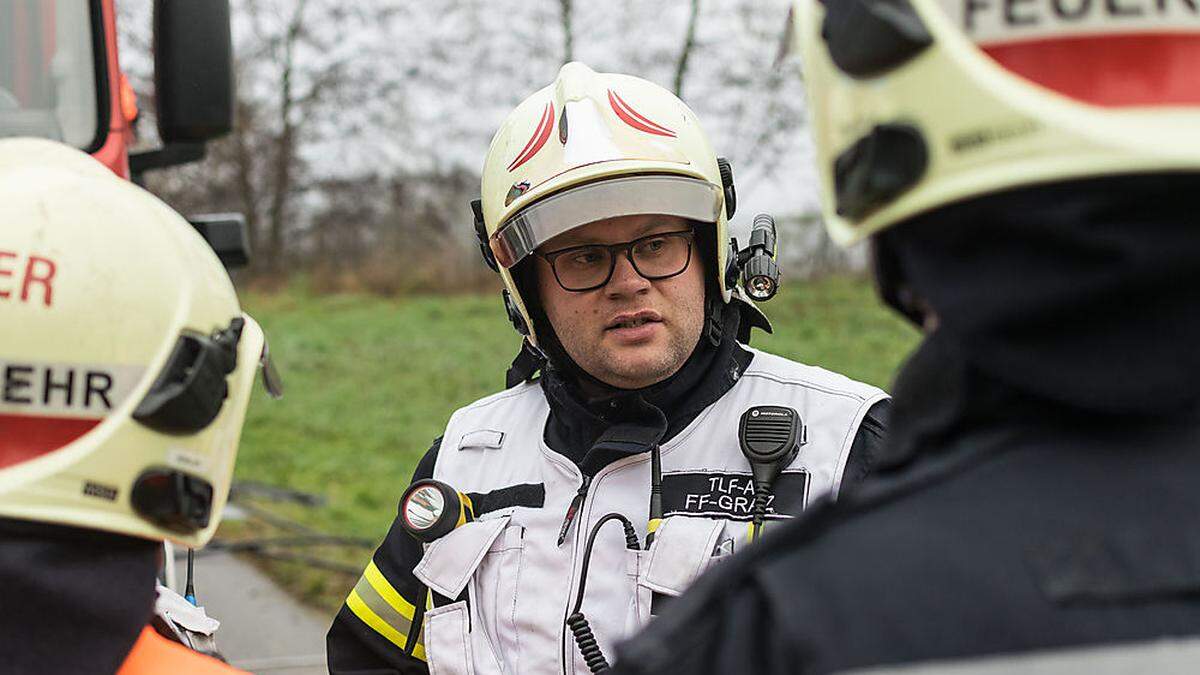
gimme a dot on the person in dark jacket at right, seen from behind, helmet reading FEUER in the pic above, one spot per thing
(1028, 175)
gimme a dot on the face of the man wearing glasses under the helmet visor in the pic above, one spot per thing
(631, 333)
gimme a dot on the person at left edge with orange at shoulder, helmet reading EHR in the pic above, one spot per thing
(127, 366)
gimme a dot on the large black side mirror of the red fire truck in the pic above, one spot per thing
(194, 70)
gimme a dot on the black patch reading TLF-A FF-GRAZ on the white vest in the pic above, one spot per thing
(731, 495)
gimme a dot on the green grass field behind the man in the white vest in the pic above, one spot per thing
(371, 383)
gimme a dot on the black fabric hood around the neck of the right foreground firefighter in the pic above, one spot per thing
(1084, 295)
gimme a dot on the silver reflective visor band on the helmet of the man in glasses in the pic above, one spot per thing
(669, 195)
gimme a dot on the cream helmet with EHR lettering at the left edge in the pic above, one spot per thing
(127, 363)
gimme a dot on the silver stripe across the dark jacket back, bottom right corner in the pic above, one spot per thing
(1162, 658)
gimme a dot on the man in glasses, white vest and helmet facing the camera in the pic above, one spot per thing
(605, 211)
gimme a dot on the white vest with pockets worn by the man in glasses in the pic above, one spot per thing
(519, 584)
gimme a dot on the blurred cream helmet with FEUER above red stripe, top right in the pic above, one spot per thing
(919, 104)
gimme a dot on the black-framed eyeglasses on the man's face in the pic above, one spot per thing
(591, 266)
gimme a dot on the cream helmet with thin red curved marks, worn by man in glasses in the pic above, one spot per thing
(591, 147)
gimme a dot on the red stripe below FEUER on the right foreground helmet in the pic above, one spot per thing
(1111, 70)
